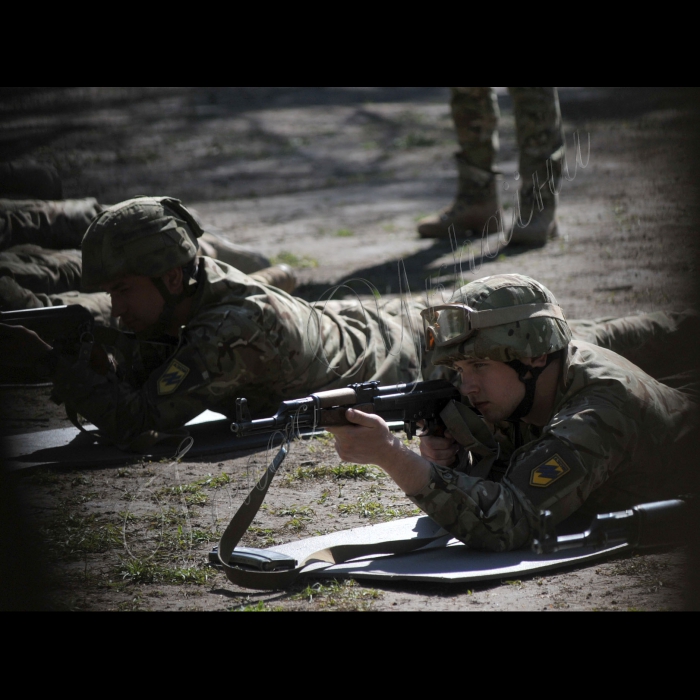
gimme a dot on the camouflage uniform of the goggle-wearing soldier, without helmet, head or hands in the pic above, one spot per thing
(610, 445)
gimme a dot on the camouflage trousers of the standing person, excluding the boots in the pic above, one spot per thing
(538, 128)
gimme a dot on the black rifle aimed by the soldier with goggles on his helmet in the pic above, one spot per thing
(409, 404)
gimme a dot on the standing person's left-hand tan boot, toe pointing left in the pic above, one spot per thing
(477, 202)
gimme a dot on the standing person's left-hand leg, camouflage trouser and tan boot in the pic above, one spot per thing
(476, 114)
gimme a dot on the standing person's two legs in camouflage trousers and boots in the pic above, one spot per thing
(540, 140)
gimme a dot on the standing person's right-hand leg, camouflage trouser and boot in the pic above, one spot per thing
(540, 137)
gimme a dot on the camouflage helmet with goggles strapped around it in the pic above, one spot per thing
(505, 318)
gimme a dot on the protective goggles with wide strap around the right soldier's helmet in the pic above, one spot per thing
(452, 324)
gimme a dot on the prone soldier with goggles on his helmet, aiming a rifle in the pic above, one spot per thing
(563, 425)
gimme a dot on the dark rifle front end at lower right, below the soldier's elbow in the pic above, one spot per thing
(646, 526)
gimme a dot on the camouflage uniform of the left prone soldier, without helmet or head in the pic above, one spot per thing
(245, 340)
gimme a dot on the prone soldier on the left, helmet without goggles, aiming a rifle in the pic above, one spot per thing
(232, 335)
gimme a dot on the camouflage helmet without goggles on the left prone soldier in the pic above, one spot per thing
(143, 236)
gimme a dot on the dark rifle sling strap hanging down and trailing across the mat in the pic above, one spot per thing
(279, 580)
